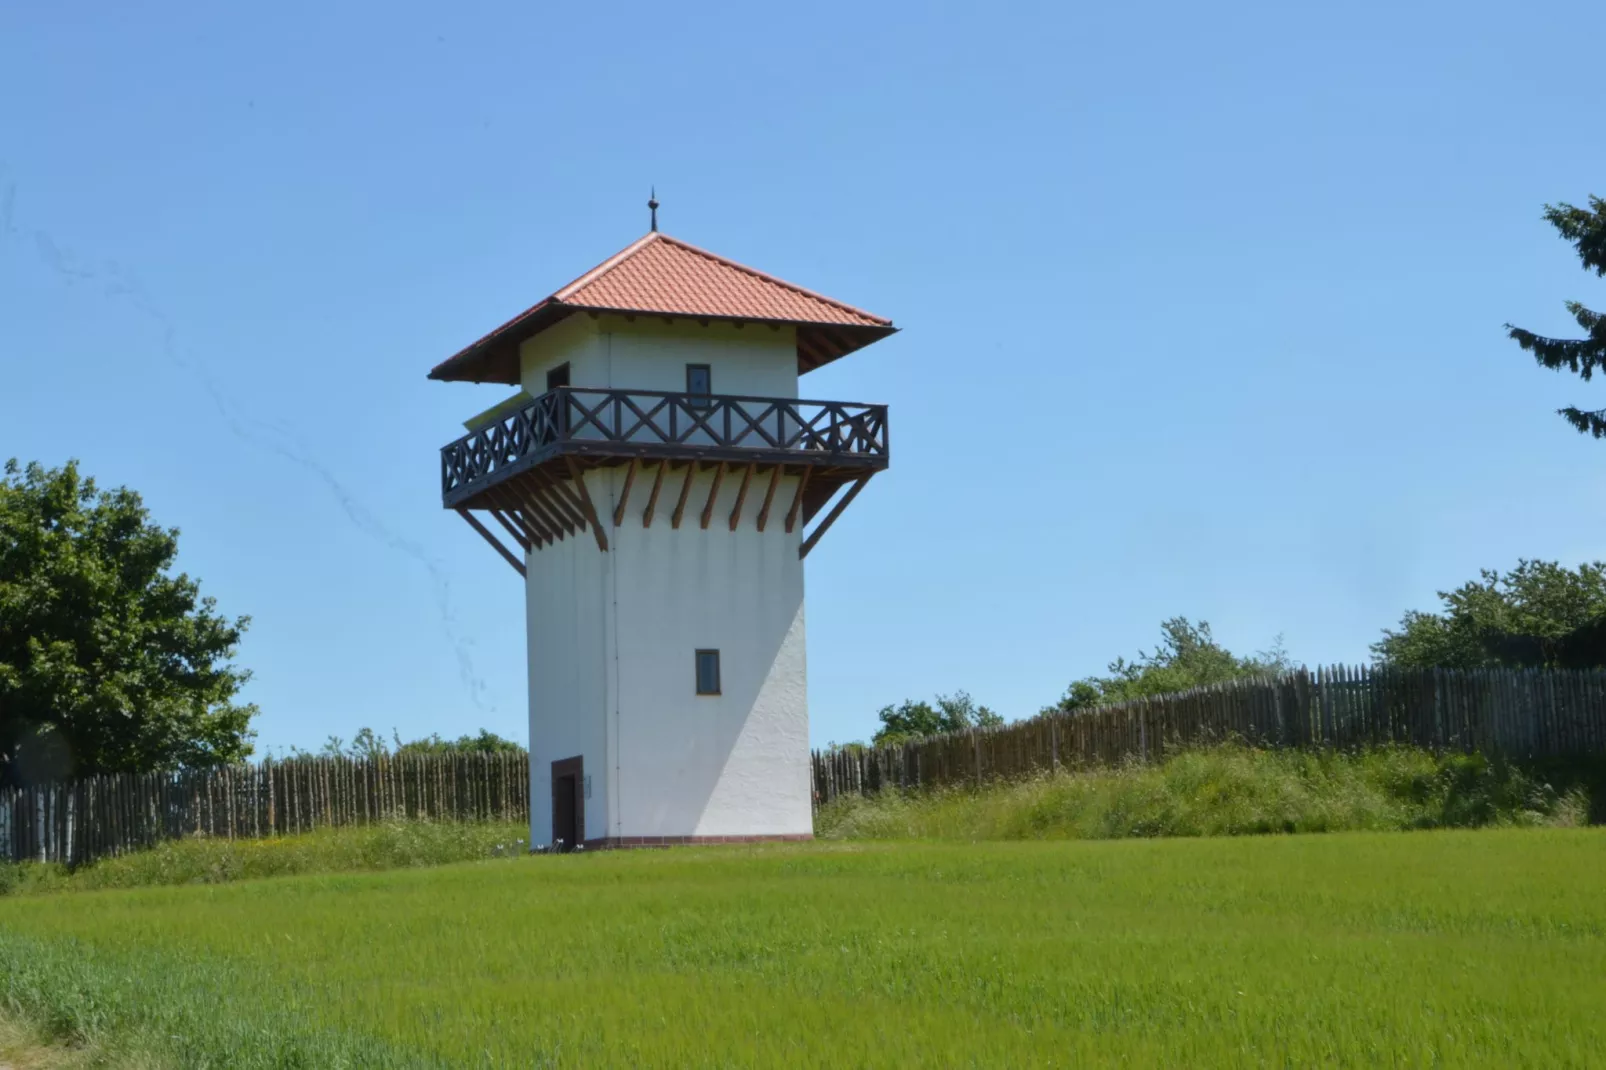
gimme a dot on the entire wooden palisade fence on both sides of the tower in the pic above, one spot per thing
(1522, 714)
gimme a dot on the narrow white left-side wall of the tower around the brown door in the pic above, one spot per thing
(568, 610)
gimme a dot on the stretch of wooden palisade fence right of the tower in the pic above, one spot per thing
(1522, 714)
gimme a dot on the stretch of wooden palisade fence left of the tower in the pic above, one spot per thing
(79, 822)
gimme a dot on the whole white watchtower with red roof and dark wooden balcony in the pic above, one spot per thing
(654, 478)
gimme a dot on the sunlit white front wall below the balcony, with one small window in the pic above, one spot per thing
(709, 766)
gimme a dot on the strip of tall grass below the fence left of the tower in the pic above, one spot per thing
(208, 860)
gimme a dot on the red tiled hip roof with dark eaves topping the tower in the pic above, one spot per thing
(662, 276)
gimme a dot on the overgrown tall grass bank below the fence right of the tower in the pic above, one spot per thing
(1223, 791)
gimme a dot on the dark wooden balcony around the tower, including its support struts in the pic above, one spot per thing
(526, 467)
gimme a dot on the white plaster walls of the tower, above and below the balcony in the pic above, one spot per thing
(613, 637)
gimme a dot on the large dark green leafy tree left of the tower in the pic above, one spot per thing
(108, 663)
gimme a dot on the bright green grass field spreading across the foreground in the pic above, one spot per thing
(1422, 950)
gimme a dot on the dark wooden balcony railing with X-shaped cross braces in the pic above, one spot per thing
(653, 423)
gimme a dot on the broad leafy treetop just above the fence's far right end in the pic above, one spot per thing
(1539, 615)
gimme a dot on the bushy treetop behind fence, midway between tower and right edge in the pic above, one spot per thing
(1186, 658)
